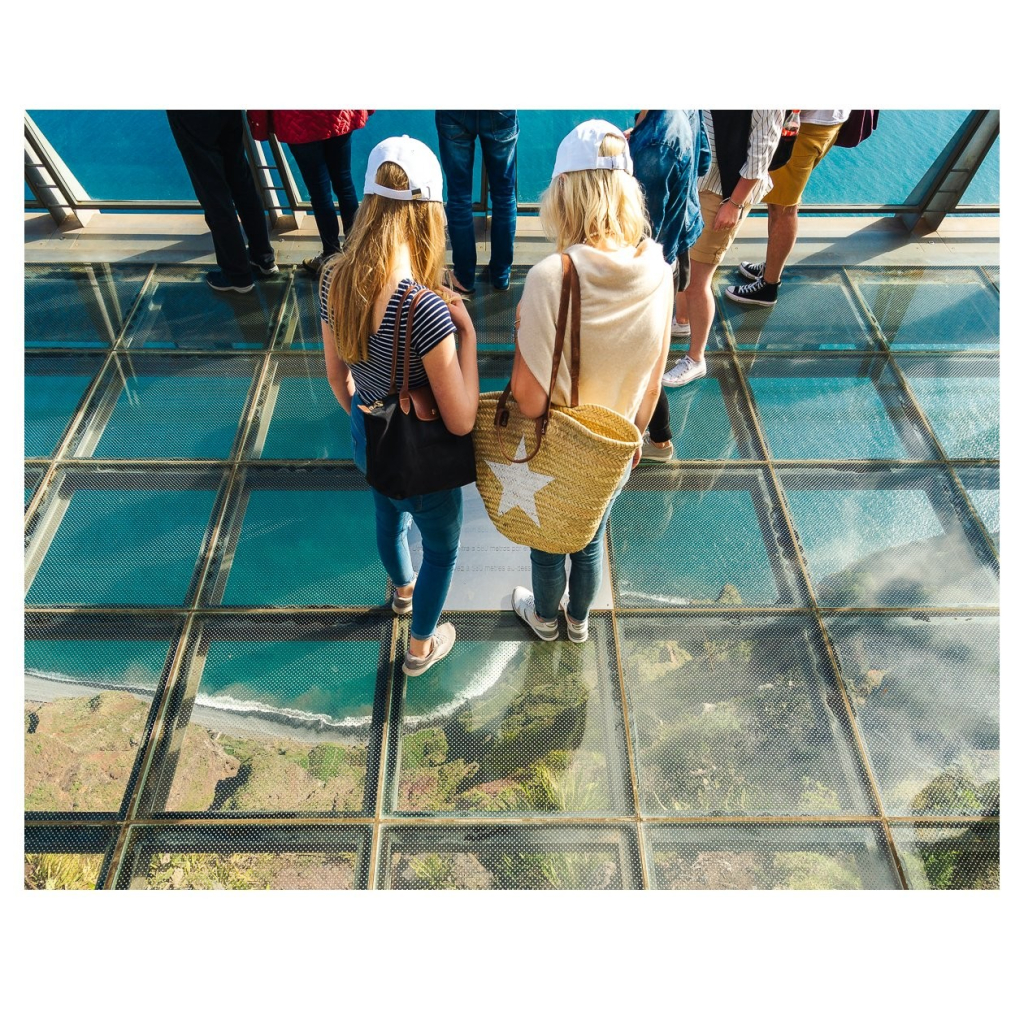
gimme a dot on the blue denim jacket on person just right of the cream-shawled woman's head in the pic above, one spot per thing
(670, 153)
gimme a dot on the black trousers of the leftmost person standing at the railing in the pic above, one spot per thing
(211, 145)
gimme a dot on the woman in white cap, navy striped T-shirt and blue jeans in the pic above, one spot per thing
(397, 249)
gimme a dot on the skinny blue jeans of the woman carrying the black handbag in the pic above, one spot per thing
(439, 518)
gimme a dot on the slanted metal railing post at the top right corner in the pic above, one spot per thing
(941, 191)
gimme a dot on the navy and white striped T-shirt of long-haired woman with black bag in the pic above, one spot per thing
(432, 325)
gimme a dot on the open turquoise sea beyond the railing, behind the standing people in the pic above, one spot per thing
(132, 154)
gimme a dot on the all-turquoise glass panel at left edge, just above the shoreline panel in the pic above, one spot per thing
(126, 538)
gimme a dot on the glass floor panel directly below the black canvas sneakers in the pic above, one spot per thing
(817, 312)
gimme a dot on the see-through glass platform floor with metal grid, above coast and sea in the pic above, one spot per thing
(792, 677)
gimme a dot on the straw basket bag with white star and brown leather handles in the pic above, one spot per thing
(553, 498)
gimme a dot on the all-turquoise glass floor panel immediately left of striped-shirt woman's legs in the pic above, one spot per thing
(304, 539)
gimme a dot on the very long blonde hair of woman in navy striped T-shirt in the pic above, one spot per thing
(361, 273)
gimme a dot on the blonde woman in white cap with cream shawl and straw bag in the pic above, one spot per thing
(594, 211)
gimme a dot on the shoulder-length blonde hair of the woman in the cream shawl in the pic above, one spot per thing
(594, 206)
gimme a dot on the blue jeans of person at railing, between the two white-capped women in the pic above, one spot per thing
(457, 134)
